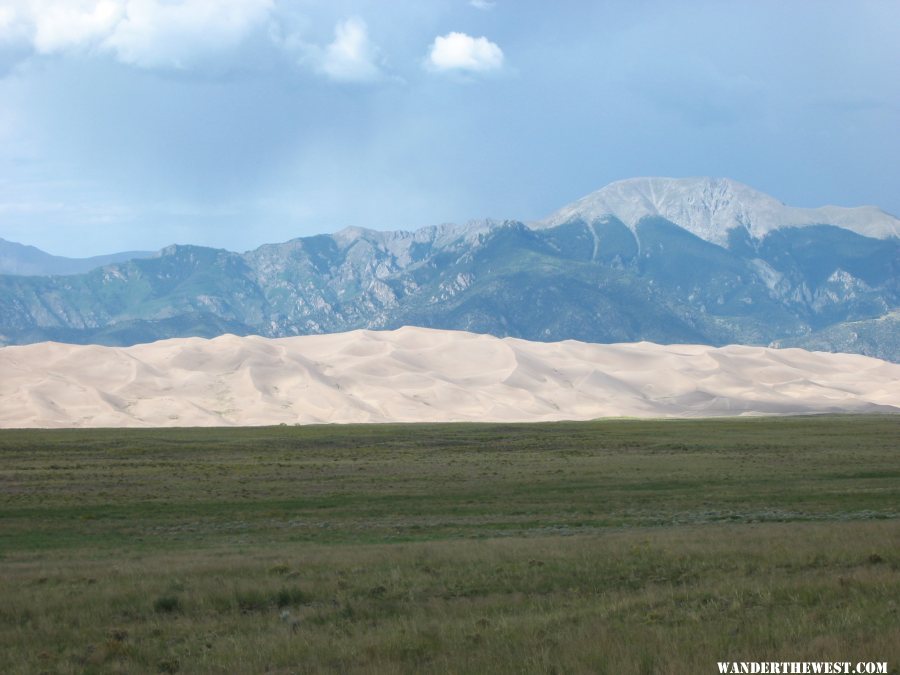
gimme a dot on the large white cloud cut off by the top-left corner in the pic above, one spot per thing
(145, 33)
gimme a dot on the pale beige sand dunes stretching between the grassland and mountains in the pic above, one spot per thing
(418, 375)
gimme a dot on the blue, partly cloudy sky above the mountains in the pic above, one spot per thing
(134, 124)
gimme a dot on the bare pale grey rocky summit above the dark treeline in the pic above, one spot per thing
(711, 207)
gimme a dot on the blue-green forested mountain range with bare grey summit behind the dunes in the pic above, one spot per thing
(696, 260)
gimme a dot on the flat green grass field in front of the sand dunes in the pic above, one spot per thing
(606, 547)
